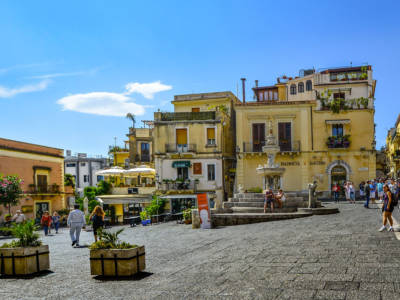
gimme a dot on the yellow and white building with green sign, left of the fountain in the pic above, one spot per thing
(195, 146)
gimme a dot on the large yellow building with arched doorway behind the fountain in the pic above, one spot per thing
(323, 123)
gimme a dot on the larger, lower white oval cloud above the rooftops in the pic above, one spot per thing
(101, 103)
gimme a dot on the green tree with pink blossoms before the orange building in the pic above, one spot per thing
(10, 191)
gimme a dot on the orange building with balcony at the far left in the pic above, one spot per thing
(42, 170)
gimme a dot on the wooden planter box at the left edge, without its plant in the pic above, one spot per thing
(24, 261)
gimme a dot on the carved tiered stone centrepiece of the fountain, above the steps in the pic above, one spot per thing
(271, 171)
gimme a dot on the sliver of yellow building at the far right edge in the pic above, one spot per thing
(393, 150)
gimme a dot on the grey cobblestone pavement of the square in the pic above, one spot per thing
(340, 256)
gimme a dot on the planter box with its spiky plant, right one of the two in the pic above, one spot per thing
(110, 256)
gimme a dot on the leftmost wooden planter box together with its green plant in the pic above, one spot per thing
(26, 255)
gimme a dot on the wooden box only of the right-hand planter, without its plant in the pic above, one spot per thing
(117, 262)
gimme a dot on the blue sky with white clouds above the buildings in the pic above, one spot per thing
(71, 70)
